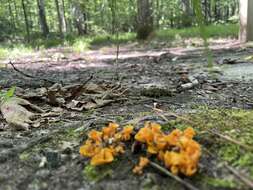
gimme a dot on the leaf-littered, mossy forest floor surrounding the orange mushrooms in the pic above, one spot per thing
(175, 80)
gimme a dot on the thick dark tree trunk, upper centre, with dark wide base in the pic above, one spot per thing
(145, 19)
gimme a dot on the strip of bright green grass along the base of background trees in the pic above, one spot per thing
(80, 44)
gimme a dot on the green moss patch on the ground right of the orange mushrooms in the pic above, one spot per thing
(236, 124)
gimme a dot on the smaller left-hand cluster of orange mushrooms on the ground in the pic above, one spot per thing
(103, 146)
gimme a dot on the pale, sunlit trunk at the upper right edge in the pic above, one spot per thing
(246, 20)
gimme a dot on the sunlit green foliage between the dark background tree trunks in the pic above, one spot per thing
(104, 15)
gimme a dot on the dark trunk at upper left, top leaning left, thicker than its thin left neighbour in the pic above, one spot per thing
(42, 18)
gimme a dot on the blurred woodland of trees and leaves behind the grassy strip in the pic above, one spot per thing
(31, 20)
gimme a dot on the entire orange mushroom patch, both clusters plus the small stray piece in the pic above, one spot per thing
(176, 150)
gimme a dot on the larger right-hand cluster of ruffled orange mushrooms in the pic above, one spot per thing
(177, 150)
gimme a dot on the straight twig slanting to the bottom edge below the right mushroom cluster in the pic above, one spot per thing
(168, 173)
